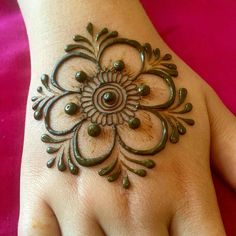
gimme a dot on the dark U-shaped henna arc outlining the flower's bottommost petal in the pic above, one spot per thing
(87, 162)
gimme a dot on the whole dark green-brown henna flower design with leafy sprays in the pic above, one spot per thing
(109, 99)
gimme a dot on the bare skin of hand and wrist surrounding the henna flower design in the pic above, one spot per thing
(176, 198)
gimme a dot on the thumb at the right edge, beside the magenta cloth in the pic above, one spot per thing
(223, 138)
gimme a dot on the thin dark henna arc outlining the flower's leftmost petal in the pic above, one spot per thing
(47, 118)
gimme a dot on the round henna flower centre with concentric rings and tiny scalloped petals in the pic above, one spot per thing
(110, 98)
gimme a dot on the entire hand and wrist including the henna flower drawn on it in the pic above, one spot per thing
(176, 196)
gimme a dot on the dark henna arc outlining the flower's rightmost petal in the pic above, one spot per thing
(169, 81)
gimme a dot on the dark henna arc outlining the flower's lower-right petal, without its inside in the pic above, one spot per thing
(157, 148)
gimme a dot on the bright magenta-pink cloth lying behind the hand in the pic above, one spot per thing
(202, 32)
